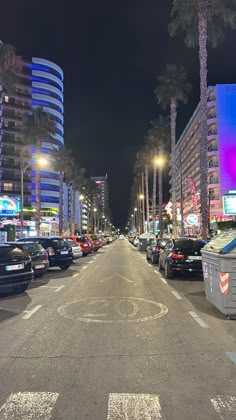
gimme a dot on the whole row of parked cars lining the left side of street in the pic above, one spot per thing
(27, 258)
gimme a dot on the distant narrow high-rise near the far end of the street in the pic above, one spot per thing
(101, 198)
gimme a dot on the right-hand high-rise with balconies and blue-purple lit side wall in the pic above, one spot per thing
(221, 121)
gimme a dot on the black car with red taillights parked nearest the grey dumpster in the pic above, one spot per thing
(181, 255)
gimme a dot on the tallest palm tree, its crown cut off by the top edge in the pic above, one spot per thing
(203, 21)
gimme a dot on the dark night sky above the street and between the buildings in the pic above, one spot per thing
(111, 52)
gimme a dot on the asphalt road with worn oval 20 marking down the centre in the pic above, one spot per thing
(111, 339)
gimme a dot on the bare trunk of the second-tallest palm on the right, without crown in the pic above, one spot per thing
(173, 115)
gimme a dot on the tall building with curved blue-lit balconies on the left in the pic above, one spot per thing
(40, 84)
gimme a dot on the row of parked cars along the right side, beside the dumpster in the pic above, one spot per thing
(180, 255)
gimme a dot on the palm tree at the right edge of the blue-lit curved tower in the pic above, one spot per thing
(62, 164)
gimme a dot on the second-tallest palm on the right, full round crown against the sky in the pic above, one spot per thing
(172, 89)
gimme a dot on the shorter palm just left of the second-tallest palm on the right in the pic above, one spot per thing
(161, 126)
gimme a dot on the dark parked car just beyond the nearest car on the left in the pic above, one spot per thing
(38, 254)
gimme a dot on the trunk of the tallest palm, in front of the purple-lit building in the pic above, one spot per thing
(202, 30)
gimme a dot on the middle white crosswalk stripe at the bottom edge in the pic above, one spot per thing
(134, 406)
